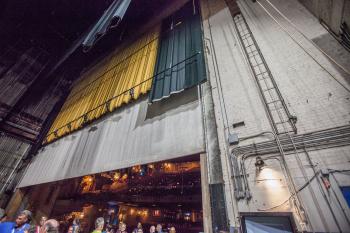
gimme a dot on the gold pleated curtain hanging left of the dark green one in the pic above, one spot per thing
(124, 76)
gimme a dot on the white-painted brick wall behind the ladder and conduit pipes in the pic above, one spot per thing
(315, 90)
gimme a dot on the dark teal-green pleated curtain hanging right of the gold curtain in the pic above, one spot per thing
(180, 63)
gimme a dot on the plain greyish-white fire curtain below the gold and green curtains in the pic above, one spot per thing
(125, 138)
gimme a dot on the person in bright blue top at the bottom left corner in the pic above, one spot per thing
(21, 224)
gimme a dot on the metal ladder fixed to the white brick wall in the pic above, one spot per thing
(283, 121)
